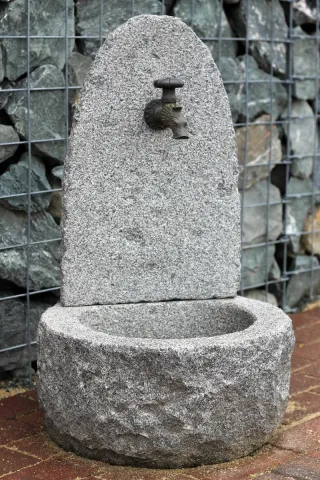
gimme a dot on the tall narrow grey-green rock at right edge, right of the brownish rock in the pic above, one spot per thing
(302, 138)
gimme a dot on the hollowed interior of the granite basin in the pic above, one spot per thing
(175, 319)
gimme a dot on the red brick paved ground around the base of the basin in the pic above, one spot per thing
(26, 453)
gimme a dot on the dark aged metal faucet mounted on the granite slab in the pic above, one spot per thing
(165, 113)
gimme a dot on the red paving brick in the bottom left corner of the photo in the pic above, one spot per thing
(58, 468)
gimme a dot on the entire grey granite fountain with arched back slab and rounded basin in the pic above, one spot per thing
(151, 358)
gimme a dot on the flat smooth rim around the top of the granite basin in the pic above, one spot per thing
(268, 320)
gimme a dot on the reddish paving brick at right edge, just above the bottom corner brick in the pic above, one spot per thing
(301, 439)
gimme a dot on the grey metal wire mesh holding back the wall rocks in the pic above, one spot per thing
(281, 243)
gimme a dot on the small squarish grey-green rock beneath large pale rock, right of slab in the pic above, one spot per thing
(256, 265)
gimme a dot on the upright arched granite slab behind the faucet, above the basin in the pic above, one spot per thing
(148, 217)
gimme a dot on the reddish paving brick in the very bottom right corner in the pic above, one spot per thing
(302, 468)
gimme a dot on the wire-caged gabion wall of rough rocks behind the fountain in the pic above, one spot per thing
(268, 55)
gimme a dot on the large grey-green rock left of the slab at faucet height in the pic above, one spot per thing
(47, 112)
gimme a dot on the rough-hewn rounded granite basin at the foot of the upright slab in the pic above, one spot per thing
(170, 384)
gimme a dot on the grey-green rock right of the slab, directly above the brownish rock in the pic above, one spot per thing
(268, 97)
